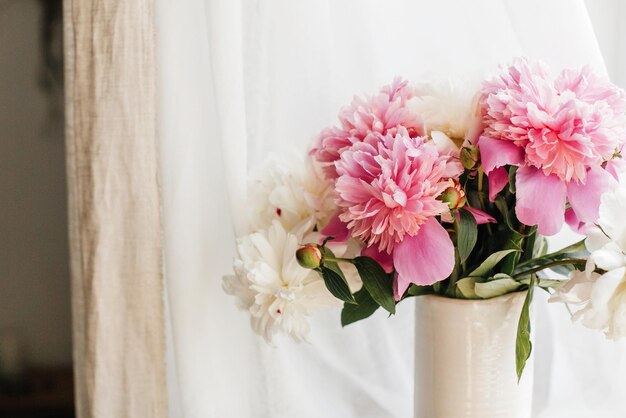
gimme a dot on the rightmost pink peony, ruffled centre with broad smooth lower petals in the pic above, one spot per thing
(559, 132)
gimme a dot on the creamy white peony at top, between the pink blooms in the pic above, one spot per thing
(448, 105)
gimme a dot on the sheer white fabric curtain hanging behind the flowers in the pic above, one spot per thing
(242, 78)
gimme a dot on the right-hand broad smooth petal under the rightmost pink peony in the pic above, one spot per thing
(585, 198)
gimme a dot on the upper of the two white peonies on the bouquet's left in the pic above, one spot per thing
(289, 190)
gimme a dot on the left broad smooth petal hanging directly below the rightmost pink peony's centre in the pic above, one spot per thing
(540, 200)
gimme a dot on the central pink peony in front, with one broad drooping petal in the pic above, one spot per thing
(388, 193)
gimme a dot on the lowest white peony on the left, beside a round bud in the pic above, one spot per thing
(271, 285)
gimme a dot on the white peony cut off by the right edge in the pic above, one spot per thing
(601, 296)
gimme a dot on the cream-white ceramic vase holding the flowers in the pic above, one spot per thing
(465, 359)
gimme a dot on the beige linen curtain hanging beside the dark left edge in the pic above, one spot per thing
(114, 215)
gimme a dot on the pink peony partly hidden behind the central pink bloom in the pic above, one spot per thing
(380, 114)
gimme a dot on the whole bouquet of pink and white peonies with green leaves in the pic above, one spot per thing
(445, 187)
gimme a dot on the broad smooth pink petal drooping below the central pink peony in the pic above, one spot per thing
(423, 259)
